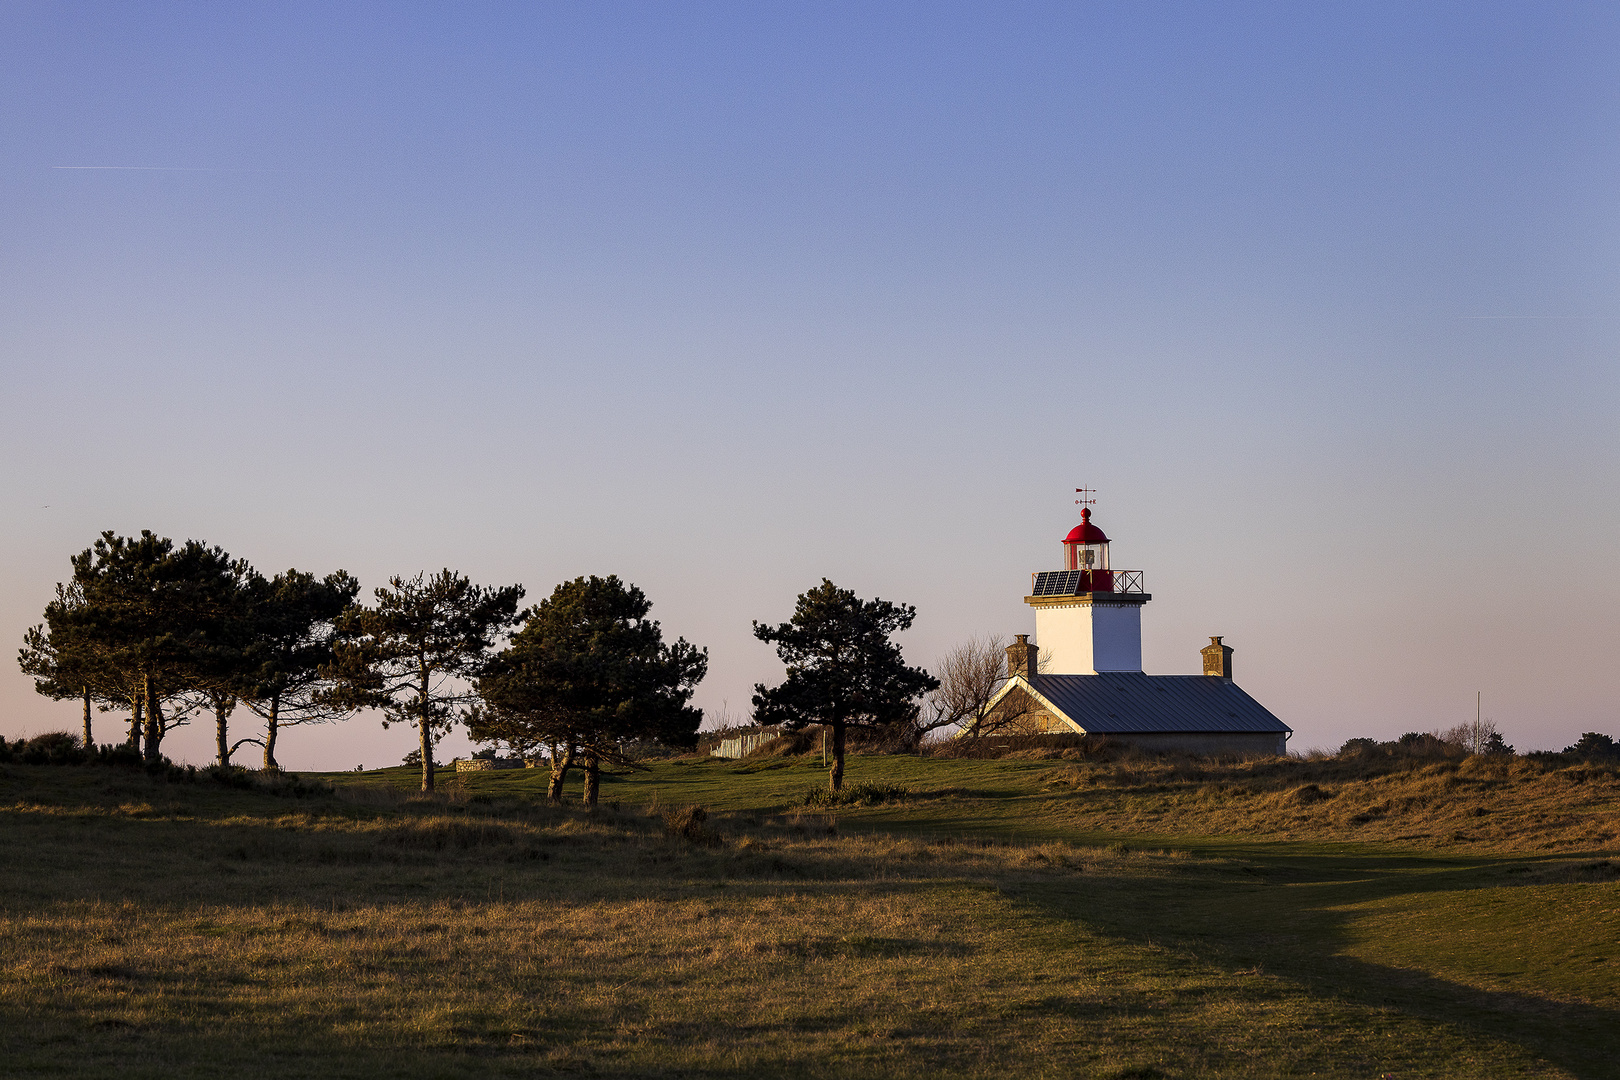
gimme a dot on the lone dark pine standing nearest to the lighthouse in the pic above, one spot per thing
(843, 668)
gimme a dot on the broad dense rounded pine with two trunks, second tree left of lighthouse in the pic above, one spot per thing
(586, 676)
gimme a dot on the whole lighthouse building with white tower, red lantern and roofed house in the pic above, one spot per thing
(1083, 674)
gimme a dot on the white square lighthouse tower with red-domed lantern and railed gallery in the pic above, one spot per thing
(1088, 616)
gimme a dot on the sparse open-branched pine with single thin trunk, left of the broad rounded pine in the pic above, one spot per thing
(414, 652)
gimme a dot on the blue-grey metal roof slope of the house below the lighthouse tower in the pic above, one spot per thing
(1132, 702)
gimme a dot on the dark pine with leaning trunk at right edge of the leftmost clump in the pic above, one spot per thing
(291, 645)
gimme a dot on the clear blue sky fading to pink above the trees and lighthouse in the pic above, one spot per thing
(730, 299)
